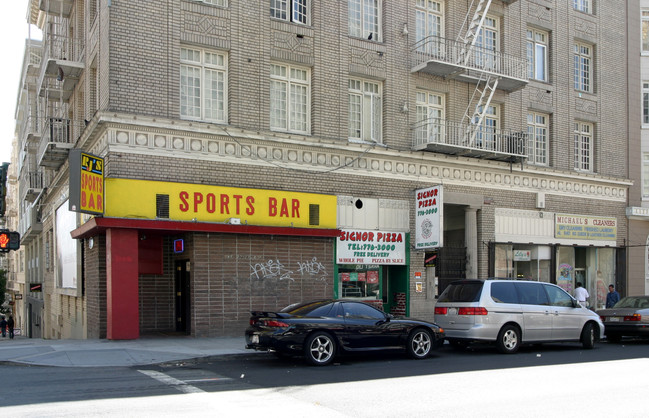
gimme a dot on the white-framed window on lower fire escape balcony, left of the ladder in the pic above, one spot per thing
(430, 117)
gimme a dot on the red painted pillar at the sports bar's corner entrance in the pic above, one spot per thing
(122, 302)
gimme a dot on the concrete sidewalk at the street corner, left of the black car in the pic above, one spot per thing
(103, 353)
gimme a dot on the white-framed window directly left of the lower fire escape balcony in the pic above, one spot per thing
(365, 110)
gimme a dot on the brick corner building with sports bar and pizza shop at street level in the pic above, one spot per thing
(256, 154)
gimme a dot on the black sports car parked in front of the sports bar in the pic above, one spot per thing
(319, 330)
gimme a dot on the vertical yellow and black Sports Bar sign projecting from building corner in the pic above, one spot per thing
(86, 183)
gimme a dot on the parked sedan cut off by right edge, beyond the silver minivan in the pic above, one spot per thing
(630, 316)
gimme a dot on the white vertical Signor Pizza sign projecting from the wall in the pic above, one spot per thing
(428, 218)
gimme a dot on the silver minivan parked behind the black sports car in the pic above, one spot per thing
(513, 312)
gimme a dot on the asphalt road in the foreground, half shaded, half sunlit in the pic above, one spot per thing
(547, 380)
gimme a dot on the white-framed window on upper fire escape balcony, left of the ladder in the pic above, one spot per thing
(429, 18)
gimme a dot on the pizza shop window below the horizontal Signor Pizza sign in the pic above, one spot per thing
(359, 281)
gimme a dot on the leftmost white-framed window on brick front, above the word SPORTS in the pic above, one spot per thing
(203, 85)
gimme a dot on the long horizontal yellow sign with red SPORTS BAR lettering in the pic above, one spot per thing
(141, 199)
